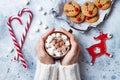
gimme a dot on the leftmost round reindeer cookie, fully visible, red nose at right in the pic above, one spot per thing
(71, 9)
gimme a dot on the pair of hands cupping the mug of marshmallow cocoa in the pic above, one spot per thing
(70, 58)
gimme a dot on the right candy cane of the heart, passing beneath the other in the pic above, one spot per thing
(26, 26)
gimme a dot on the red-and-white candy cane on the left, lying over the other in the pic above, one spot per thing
(17, 46)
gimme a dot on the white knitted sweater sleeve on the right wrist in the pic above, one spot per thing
(70, 72)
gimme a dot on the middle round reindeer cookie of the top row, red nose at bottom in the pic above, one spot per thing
(89, 9)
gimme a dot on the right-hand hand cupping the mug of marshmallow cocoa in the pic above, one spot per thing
(72, 56)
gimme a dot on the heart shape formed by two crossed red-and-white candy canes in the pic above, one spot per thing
(18, 46)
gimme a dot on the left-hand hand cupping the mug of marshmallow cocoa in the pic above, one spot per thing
(41, 53)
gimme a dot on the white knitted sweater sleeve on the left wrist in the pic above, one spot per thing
(46, 72)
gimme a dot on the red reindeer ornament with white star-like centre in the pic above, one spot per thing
(101, 46)
